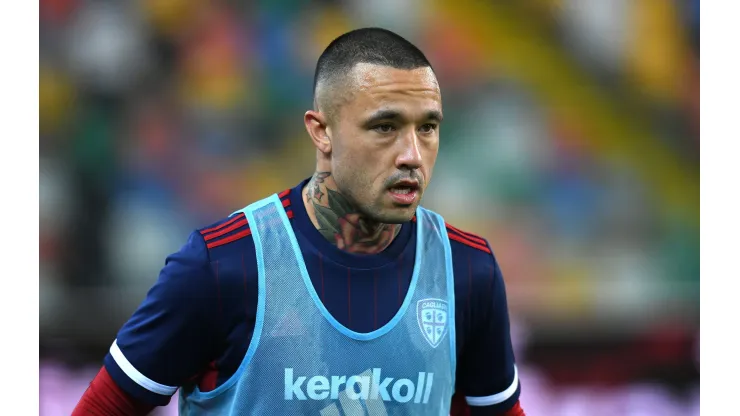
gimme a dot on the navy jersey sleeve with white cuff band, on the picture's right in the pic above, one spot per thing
(487, 373)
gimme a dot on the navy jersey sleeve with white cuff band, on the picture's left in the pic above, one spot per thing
(170, 338)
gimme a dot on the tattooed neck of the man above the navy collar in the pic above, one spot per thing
(340, 222)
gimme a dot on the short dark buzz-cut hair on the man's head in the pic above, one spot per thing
(370, 45)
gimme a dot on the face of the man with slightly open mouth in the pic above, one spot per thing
(385, 140)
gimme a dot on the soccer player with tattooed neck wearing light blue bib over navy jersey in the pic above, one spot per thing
(340, 296)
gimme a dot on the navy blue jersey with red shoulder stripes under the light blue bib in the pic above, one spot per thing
(196, 323)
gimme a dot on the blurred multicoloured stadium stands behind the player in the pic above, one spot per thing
(571, 142)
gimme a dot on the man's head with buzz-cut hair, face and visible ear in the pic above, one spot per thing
(375, 123)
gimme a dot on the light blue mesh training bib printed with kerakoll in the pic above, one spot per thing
(301, 361)
